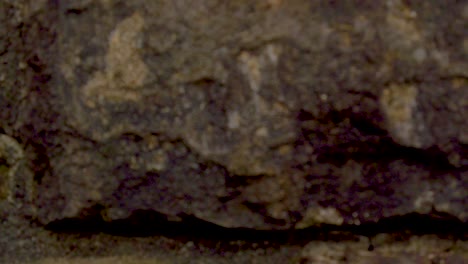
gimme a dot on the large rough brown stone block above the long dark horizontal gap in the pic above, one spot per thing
(257, 114)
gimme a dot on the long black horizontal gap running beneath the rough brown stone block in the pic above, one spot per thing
(145, 223)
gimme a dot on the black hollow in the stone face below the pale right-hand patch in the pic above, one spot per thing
(363, 141)
